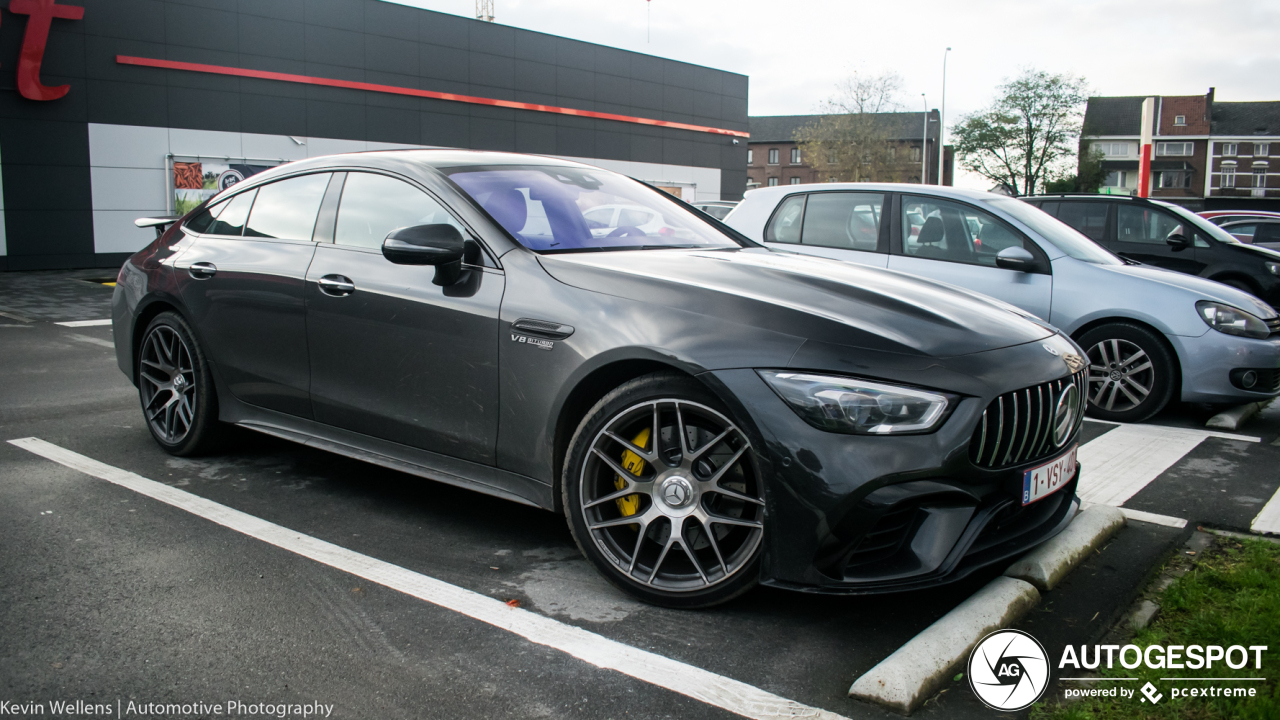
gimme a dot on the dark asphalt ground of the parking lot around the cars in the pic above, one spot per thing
(109, 595)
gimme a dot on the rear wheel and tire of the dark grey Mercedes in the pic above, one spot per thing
(180, 403)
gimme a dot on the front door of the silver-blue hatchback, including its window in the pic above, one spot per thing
(958, 244)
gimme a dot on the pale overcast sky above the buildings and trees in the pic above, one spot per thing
(797, 51)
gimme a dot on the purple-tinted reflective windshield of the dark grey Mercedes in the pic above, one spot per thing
(557, 209)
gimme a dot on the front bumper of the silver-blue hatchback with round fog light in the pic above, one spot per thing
(1209, 361)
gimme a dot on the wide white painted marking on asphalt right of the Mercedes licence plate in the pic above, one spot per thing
(1124, 461)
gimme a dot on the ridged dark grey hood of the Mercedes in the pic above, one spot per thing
(804, 297)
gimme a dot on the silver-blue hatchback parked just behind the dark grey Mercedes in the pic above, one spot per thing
(1151, 335)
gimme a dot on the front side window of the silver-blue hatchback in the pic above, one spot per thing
(940, 230)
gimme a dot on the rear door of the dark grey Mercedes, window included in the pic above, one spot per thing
(243, 282)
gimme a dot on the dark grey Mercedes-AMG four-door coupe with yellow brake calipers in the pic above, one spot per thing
(706, 413)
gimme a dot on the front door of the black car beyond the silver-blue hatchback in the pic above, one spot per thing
(1141, 235)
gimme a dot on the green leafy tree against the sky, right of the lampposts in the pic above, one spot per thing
(1027, 135)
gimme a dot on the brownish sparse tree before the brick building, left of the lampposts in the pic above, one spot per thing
(849, 142)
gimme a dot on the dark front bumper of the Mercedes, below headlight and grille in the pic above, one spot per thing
(871, 514)
